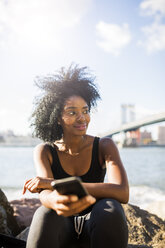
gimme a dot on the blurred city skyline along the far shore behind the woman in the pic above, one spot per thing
(132, 138)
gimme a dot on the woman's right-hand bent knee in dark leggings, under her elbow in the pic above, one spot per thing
(108, 224)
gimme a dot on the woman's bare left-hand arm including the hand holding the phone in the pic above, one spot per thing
(65, 205)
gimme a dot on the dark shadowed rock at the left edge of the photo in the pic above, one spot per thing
(8, 223)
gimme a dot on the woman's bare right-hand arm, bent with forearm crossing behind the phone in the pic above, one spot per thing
(117, 186)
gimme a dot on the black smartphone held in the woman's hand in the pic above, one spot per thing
(70, 186)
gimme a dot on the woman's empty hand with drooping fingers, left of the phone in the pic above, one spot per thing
(34, 185)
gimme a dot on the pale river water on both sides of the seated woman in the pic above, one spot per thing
(145, 168)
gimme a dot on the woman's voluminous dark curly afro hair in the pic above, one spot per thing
(55, 90)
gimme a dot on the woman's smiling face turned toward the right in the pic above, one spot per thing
(75, 116)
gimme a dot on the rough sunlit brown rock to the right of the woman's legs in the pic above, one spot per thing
(145, 229)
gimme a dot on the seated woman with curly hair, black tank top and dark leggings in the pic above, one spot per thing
(61, 119)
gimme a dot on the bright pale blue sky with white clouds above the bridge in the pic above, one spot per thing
(122, 43)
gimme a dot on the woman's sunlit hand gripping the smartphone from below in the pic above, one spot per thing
(68, 205)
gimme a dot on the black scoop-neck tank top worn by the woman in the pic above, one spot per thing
(95, 173)
